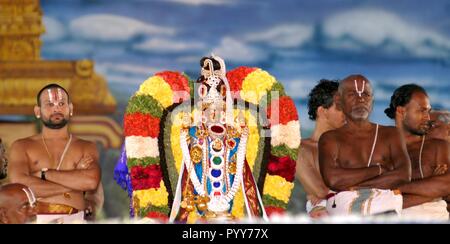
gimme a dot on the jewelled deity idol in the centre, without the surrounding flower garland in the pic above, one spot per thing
(214, 153)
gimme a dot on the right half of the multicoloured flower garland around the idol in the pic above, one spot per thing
(260, 88)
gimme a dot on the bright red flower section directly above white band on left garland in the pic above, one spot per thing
(138, 124)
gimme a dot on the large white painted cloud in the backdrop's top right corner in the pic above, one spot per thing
(365, 29)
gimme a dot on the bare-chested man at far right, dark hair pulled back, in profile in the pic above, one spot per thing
(410, 107)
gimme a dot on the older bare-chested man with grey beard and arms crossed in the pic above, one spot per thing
(362, 162)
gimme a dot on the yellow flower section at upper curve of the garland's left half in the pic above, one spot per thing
(158, 88)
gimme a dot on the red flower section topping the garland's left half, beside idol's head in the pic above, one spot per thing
(179, 84)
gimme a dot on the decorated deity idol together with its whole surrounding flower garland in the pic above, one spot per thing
(221, 148)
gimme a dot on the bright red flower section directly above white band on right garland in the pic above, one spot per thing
(285, 107)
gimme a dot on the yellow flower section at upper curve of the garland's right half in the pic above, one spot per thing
(256, 85)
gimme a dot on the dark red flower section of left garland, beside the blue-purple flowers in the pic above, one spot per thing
(143, 178)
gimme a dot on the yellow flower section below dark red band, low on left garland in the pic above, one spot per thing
(154, 197)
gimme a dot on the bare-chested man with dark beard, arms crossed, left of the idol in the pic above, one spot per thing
(56, 165)
